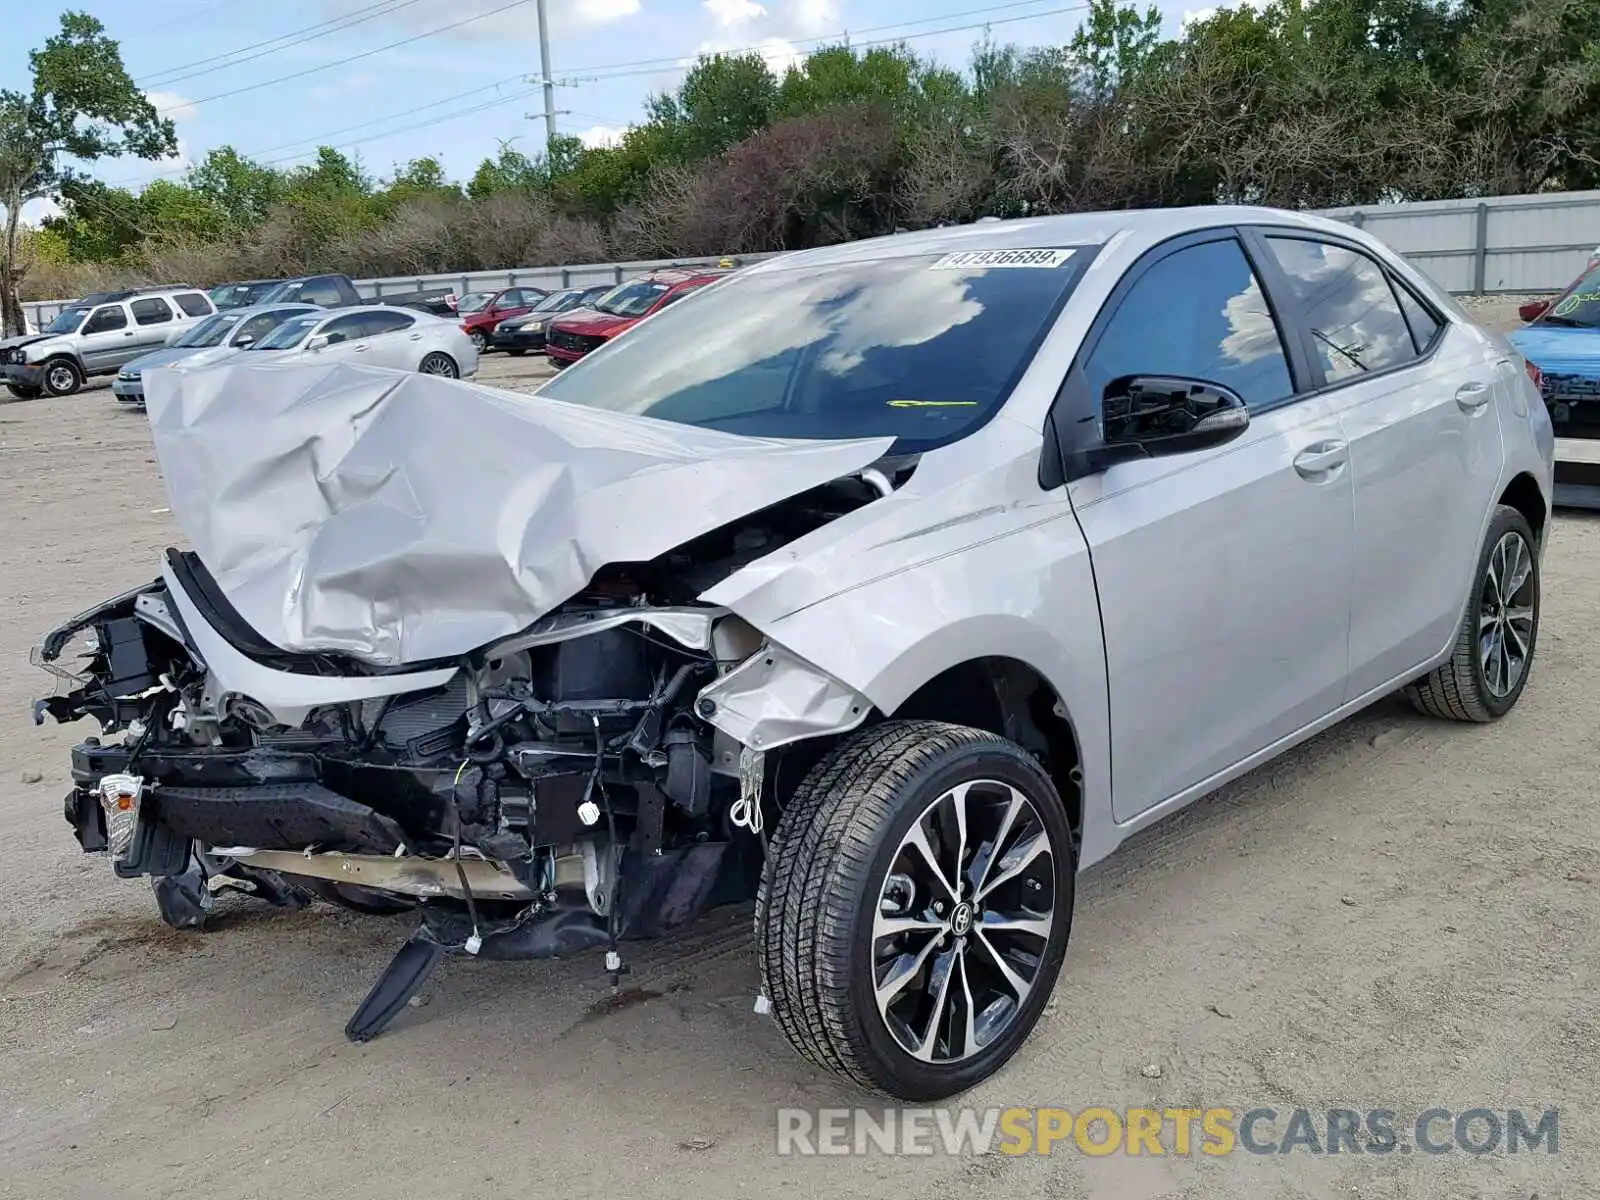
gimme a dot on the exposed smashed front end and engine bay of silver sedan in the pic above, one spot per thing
(564, 790)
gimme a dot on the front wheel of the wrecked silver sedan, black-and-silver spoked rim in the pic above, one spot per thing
(916, 906)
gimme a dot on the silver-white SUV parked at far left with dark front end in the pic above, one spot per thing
(97, 337)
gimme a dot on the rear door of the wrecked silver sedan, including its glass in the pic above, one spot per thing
(1417, 396)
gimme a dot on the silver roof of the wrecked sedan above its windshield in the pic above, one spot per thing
(1068, 230)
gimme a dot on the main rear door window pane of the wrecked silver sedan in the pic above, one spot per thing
(1350, 306)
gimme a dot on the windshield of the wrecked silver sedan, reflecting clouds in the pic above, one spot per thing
(922, 350)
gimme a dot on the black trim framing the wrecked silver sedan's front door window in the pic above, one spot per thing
(1073, 425)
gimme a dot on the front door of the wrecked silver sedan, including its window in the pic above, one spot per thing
(1223, 575)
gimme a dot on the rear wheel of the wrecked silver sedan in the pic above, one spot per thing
(1494, 650)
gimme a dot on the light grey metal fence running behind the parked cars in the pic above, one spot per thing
(1506, 244)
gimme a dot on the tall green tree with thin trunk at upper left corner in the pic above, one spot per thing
(82, 106)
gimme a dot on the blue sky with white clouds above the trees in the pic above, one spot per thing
(394, 81)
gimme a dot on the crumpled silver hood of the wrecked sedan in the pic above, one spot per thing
(402, 518)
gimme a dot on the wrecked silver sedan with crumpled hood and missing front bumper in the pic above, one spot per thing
(887, 585)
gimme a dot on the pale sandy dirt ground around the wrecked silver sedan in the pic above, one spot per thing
(1401, 914)
